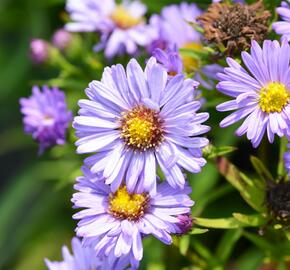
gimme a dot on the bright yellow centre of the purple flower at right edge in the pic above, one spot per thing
(274, 97)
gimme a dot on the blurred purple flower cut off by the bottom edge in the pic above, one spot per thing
(84, 258)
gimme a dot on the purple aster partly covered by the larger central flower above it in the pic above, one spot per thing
(117, 221)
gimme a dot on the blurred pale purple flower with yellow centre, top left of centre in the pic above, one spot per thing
(122, 26)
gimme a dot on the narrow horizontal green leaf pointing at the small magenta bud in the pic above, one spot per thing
(219, 223)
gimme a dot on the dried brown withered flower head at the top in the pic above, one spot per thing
(234, 26)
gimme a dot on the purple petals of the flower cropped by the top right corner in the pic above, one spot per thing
(283, 27)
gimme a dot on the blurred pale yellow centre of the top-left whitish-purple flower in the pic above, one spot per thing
(123, 18)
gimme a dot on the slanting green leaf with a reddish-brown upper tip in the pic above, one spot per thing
(252, 190)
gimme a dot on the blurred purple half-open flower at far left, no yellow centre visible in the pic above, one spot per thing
(46, 116)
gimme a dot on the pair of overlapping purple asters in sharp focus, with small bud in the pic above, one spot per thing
(133, 121)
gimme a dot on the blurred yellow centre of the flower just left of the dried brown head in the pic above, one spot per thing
(190, 64)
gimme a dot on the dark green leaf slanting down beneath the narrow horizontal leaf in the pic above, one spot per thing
(227, 244)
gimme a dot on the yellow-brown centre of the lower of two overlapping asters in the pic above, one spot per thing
(123, 205)
